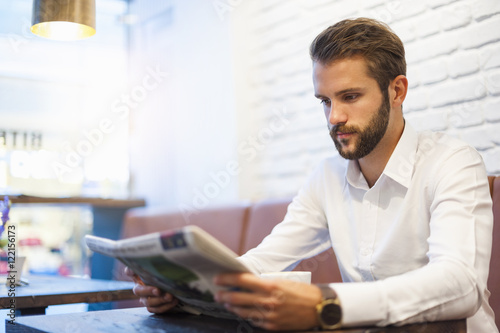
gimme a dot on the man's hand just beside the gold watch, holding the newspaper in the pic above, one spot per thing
(270, 304)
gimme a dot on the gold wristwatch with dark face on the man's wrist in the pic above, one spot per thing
(329, 310)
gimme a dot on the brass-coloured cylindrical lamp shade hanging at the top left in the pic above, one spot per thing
(63, 19)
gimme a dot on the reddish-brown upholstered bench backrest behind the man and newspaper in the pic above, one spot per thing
(242, 227)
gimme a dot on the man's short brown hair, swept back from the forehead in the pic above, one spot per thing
(373, 40)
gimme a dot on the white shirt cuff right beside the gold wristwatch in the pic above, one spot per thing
(362, 303)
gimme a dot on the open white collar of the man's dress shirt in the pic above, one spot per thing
(400, 165)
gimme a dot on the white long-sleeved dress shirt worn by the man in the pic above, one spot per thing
(419, 240)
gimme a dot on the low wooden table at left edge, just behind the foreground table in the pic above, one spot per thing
(43, 291)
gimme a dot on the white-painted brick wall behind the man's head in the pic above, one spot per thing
(453, 55)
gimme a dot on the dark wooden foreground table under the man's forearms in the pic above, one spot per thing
(139, 320)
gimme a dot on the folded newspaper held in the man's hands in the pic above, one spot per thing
(182, 262)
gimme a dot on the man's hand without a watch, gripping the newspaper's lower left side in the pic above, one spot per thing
(153, 298)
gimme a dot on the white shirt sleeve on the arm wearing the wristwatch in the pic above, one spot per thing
(452, 284)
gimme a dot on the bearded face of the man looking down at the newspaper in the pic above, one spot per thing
(356, 110)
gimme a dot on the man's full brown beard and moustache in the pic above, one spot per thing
(368, 138)
